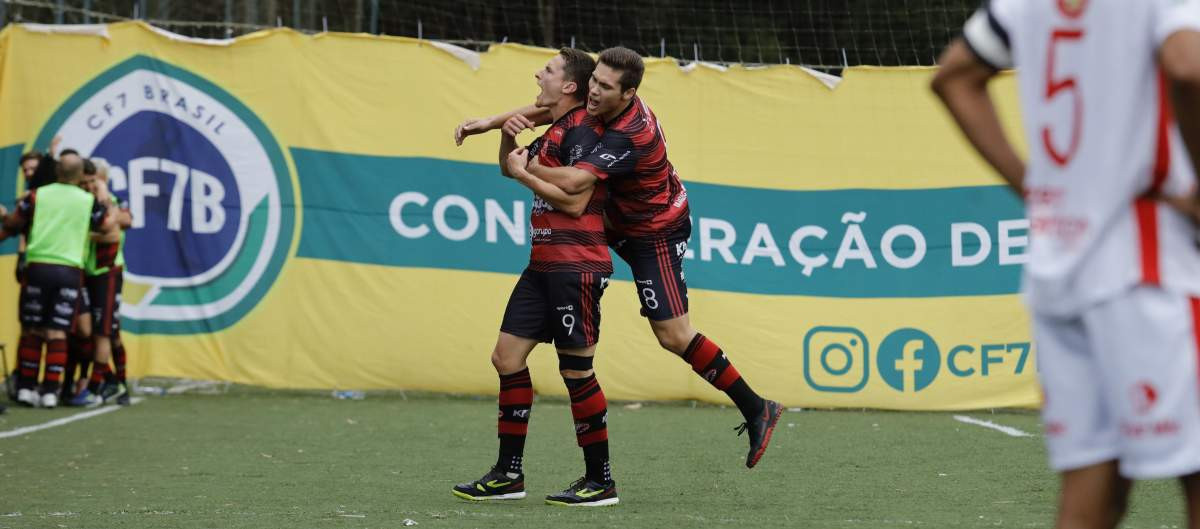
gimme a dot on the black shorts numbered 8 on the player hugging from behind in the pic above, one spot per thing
(657, 264)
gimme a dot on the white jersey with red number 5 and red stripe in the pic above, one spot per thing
(1100, 137)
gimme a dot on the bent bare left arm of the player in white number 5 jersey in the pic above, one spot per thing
(962, 83)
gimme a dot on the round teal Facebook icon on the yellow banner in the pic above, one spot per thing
(909, 360)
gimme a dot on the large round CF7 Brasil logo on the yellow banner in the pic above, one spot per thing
(212, 197)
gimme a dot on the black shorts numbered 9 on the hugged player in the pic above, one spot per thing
(560, 308)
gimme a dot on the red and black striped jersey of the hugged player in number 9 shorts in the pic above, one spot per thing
(561, 243)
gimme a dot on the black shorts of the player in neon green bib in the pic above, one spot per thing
(51, 297)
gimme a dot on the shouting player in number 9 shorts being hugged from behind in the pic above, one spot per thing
(557, 298)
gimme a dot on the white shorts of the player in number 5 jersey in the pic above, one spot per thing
(1121, 382)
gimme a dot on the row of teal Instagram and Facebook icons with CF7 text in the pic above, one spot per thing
(909, 360)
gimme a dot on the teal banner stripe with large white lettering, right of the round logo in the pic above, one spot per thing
(441, 214)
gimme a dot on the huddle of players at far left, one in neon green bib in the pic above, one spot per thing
(70, 268)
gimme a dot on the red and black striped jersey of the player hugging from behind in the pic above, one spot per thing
(647, 199)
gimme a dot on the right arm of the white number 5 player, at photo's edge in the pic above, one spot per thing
(1180, 59)
